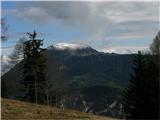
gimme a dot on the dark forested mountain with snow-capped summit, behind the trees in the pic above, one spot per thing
(81, 78)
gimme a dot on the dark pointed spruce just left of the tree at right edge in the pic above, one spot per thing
(135, 92)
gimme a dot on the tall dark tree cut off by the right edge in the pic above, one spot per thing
(153, 78)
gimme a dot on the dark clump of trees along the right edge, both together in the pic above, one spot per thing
(141, 97)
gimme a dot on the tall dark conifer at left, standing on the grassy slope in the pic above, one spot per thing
(34, 70)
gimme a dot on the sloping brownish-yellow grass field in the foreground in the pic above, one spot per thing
(16, 110)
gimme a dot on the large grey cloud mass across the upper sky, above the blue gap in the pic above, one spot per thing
(101, 21)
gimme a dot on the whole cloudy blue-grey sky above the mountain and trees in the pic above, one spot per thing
(120, 27)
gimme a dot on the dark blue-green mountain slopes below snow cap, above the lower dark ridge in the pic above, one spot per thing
(85, 68)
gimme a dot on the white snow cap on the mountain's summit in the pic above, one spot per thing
(64, 46)
